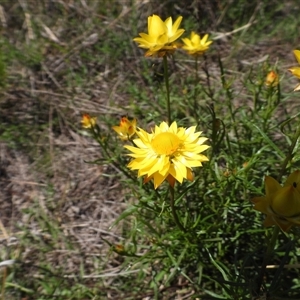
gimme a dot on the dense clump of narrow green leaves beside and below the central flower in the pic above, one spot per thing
(222, 244)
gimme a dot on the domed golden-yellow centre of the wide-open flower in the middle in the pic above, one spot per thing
(165, 143)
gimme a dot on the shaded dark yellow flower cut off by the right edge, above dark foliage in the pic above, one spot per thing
(281, 205)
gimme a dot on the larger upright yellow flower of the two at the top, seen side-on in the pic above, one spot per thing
(161, 36)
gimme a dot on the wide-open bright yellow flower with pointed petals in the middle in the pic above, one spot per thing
(168, 153)
